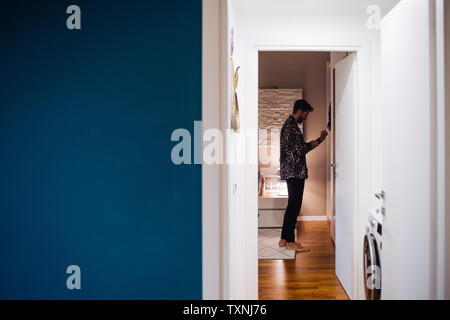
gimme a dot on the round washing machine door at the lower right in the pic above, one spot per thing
(372, 268)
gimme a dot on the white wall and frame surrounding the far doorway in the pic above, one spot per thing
(293, 31)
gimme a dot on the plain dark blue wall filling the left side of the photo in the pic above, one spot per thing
(85, 170)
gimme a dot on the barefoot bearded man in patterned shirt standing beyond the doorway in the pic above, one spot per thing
(293, 149)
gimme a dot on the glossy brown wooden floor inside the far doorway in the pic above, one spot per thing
(310, 276)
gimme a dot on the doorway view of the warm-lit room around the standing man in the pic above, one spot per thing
(283, 77)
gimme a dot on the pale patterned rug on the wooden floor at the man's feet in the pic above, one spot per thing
(268, 245)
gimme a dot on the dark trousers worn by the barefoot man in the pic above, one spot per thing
(295, 192)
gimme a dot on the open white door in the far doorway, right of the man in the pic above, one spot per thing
(345, 91)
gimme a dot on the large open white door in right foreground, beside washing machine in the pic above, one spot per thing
(407, 100)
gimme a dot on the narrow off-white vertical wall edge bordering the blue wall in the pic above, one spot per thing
(211, 256)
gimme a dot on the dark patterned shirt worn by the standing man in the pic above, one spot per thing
(293, 149)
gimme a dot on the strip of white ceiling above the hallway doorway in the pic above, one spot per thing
(338, 6)
